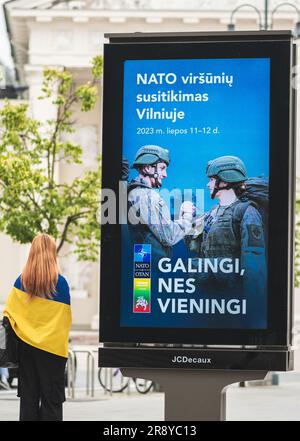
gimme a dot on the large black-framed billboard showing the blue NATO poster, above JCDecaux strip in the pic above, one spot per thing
(198, 149)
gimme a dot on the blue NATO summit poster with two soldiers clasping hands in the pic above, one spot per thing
(196, 170)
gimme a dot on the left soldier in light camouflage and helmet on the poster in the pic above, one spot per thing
(149, 216)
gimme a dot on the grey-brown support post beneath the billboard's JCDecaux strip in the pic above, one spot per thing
(194, 395)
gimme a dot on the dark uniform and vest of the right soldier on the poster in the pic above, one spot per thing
(227, 236)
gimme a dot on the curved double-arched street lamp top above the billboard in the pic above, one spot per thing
(265, 26)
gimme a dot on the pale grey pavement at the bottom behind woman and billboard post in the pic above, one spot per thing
(251, 403)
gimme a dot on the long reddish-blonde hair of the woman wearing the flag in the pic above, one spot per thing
(40, 274)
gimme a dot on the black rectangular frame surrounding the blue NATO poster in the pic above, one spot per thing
(278, 46)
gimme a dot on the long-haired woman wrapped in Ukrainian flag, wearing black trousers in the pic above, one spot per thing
(38, 308)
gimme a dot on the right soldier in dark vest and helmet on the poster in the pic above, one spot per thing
(233, 229)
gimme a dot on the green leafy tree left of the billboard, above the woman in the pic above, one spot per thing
(31, 199)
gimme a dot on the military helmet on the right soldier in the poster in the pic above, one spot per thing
(227, 168)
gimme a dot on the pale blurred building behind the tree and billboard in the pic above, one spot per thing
(70, 33)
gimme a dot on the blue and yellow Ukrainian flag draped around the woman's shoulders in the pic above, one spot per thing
(39, 322)
